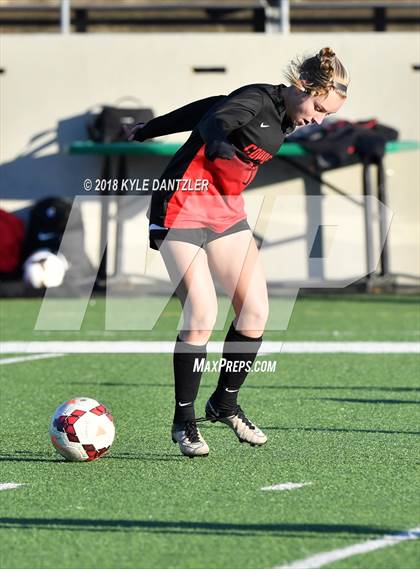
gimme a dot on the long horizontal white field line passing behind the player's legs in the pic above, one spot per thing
(144, 347)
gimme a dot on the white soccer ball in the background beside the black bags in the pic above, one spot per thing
(43, 269)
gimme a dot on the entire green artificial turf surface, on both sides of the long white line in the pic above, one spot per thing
(347, 423)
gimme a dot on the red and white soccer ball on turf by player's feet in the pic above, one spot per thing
(81, 429)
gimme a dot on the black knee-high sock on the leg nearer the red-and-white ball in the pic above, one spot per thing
(187, 378)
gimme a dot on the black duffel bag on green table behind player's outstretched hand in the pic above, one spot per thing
(108, 125)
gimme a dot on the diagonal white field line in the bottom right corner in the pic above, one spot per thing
(321, 559)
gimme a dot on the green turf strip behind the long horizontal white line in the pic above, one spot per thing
(331, 318)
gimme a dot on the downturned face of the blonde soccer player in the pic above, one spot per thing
(305, 109)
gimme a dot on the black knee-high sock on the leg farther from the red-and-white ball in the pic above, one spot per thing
(239, 353)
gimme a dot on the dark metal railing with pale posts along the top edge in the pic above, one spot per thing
(259, 16)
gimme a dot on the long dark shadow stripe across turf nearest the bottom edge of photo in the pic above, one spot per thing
(212, 528)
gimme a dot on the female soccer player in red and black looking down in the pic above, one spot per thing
(198, 223)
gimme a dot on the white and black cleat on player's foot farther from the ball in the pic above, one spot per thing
(243, 428)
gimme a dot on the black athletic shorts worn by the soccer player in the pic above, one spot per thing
(197, 236)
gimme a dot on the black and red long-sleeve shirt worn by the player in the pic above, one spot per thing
(252, 119)
